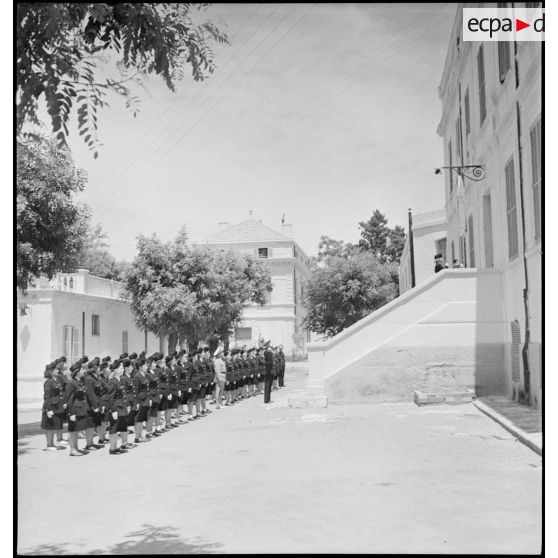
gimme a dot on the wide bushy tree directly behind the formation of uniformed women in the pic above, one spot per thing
(192, 293)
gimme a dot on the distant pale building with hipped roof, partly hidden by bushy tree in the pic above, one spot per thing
(280, 318)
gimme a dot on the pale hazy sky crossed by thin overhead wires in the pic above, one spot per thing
(319, 112)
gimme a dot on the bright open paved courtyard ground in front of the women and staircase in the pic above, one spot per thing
(391, 478)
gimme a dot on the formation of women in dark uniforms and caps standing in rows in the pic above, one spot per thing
(132, 391)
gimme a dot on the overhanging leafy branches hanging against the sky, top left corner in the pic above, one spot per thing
(62, 46)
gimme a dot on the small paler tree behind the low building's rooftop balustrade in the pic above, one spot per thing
(96, 257)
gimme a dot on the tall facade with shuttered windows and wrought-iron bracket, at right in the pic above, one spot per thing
(491, 116)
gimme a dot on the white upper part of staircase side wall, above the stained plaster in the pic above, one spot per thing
(453, 308)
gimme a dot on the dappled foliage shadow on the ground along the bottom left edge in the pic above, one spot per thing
(148, 540)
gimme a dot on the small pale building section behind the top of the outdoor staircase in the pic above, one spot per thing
(429, 238)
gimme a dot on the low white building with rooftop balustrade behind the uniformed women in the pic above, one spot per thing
(73, 315)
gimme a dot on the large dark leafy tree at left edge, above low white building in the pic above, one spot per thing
(50, 226)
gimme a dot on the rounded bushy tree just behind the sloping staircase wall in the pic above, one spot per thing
(345, 291)
